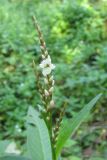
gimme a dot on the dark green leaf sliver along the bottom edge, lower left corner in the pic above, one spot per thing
(13, 157)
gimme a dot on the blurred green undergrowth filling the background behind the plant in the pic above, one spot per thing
(76, 35)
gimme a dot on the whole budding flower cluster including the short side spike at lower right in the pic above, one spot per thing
(46, 89)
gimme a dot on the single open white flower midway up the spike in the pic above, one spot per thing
(47, 66)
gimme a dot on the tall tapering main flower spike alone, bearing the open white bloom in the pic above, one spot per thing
(46, 67)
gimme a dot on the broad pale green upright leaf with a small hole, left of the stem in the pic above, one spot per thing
(38, 141)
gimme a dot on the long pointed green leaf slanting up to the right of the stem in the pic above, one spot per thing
(68, 127)
